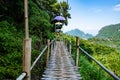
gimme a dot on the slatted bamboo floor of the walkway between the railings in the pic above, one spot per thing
(61, 66)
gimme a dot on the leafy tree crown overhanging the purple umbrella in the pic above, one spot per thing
(54, 8)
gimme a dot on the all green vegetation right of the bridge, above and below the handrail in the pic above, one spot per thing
(108, 56)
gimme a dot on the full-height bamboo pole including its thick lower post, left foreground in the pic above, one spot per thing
(26, 45)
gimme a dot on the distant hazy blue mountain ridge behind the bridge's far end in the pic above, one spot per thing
(78, 33)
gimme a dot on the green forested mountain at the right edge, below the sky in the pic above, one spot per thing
(110, 31)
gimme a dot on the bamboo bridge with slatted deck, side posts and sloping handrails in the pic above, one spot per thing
(60, 64)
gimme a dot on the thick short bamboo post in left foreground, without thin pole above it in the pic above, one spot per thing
(27, 58)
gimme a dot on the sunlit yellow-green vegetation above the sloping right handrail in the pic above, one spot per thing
(108, 56)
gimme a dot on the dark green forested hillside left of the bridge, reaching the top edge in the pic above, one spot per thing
(12, 31)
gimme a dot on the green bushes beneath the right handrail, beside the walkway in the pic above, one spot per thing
(91, 71)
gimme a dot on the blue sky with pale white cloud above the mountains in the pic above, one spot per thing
(90, 16)
